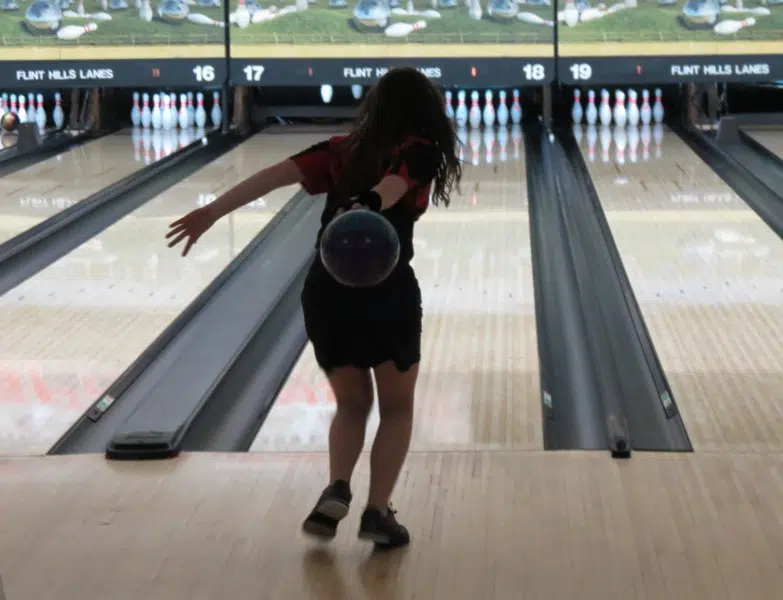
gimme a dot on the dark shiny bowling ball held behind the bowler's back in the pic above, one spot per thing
(360, 248)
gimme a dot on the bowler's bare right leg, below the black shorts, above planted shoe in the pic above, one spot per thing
(395, 403)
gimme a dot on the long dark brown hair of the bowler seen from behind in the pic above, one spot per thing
(402, 104)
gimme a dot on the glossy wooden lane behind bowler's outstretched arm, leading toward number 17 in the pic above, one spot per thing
(73, 328)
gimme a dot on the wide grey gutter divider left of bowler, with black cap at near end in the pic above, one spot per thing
(147, 411)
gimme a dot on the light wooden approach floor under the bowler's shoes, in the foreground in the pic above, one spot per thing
(485, 525)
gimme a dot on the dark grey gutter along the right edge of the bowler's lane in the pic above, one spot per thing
(574, 417)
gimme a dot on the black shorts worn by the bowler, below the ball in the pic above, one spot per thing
(363, 327)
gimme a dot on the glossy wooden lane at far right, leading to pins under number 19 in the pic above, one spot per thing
(708, 275)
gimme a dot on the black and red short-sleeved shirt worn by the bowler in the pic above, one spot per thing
(416, 161)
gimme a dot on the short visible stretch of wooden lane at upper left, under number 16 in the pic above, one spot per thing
(38, 192)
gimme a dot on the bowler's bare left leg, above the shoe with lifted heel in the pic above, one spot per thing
(353, 390)
